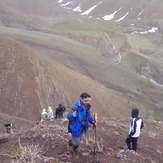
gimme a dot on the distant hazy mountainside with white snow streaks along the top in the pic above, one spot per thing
(124, 11)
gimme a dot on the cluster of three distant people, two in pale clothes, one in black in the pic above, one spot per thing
(50, 114)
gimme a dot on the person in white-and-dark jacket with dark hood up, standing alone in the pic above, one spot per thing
(134, 130)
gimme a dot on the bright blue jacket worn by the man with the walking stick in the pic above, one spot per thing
(76, 125)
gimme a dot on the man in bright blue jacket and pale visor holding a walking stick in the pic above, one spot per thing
(79, 116)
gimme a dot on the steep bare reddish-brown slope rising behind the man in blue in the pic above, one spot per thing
(30, 82)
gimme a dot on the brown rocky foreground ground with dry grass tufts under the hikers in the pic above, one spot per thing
(47, 142)
